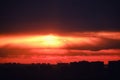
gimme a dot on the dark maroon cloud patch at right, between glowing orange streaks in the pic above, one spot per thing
(104, 44)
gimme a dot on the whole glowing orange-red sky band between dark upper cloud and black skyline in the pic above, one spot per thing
(53, 48)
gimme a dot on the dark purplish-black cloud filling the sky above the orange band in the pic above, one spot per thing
(65, 16)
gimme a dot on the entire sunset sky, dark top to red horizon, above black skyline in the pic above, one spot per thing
(52, 31)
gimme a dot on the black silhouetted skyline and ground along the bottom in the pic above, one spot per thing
(62, 71)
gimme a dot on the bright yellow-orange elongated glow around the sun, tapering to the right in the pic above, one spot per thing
(47, 41)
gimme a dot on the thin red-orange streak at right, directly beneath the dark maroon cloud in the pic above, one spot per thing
(106, 52)
